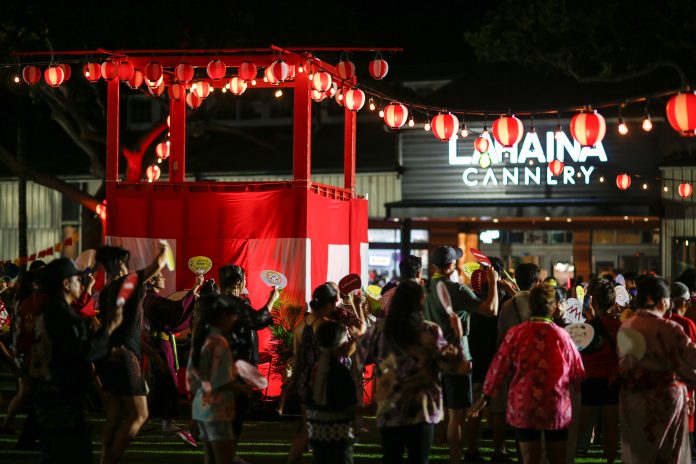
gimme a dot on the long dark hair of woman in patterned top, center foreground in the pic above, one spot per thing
(402, 325)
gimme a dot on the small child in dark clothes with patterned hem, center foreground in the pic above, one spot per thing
(331, 399)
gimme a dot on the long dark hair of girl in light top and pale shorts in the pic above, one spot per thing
(210, 310)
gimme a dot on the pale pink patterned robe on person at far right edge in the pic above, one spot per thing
(653, 401)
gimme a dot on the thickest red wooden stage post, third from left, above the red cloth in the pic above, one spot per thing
(302, 141)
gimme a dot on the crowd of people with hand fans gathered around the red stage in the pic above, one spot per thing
(496, 349)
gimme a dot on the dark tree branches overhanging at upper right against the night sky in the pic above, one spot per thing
(592, 41)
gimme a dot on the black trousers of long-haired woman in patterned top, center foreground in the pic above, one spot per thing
(415, 439)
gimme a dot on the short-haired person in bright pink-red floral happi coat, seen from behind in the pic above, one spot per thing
(542, 364)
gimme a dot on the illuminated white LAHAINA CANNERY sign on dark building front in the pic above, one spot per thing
(526, 163)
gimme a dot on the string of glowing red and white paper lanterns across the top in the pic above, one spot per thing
(587, 125)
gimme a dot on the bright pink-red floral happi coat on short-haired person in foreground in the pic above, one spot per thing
(542, 363)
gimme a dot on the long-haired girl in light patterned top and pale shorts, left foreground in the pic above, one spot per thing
(212, 375)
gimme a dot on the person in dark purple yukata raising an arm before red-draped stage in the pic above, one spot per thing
(166, 318)
